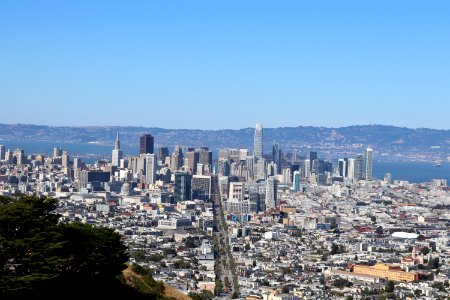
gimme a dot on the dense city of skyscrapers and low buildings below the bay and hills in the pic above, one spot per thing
(254, 225)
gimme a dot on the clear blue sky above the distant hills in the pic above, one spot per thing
(225, 64)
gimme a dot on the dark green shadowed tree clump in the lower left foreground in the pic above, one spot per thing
(40, 256)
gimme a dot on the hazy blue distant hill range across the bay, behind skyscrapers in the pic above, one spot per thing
(388, 141)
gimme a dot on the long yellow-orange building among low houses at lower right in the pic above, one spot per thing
(387, 272)
